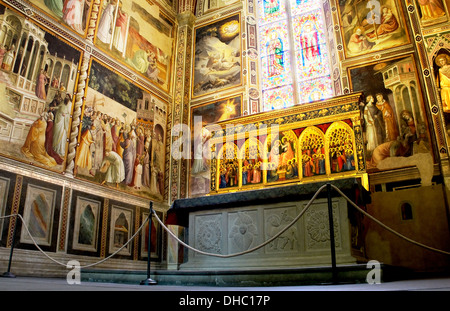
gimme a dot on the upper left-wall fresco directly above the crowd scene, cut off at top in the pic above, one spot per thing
(120, 33)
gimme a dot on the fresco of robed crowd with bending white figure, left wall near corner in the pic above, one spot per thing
(122, 137)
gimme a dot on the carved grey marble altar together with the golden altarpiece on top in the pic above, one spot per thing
(292, 152)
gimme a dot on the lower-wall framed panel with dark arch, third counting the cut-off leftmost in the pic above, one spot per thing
(86, 225)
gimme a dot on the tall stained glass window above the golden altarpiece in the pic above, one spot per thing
(294, 54)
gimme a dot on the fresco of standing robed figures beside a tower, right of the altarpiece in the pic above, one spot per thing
(395, 118)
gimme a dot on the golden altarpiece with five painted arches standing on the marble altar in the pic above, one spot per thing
(307, 143)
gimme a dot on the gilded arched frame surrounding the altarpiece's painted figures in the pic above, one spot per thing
(336, 116)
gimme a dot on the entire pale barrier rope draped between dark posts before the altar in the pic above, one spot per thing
(234, 254)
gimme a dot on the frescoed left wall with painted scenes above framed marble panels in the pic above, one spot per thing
(79, 195)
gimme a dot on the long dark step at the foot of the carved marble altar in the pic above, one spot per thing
(346, 274)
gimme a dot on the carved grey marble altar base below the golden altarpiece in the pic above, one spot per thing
(231, 223)
